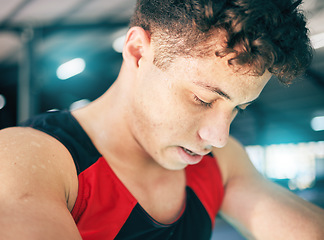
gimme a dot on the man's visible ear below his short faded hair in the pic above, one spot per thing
(137, 44)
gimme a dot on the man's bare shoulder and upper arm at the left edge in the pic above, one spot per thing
(38, 184)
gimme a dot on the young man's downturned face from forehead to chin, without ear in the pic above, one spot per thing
(179, 113)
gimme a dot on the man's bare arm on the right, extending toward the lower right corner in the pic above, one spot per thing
(260, 207)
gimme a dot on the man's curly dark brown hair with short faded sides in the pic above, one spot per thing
(263, 34)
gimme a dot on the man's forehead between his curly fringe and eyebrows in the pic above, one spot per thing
(215, 73)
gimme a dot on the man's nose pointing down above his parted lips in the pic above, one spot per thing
(214, 129)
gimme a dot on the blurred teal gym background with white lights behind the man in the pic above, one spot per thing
(63, 54)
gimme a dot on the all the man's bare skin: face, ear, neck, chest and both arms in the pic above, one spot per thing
(145, 126)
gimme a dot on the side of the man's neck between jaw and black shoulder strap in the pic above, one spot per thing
(106, 121)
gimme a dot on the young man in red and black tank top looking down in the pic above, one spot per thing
(152, 157)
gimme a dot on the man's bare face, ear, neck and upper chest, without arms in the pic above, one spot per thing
(163, 114)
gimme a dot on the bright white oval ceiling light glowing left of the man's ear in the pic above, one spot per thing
(70, 68)
